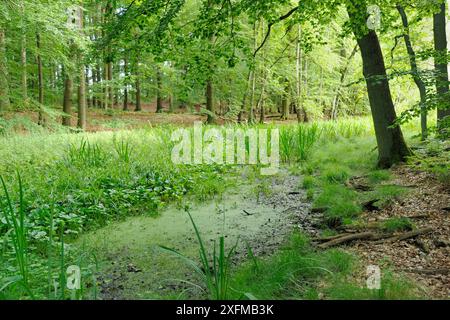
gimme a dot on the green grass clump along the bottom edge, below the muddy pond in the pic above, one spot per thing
(297, 271)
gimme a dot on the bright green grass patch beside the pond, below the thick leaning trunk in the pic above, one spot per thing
(329, 173)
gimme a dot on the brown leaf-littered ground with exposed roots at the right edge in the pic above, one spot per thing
(425, 259)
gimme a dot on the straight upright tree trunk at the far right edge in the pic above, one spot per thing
(440, 62)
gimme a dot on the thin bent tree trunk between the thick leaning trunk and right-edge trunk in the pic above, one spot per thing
(415, 71)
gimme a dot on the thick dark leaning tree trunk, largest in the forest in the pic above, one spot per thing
(391, 144)
